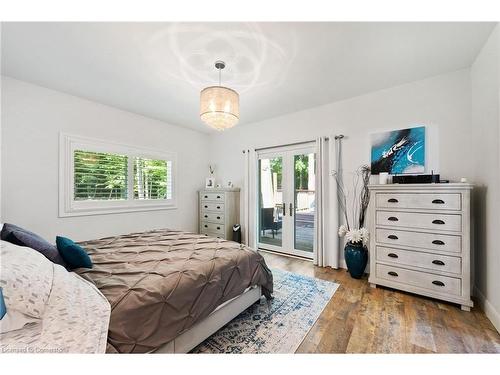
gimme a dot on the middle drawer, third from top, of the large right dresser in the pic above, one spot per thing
(431, 241)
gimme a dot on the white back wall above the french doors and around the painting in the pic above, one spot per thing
(441, 103)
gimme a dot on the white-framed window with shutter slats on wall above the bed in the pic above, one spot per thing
(98, 177)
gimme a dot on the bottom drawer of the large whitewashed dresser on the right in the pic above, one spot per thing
(436, 283)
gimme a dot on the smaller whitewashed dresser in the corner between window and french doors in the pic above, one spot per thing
(219, 211)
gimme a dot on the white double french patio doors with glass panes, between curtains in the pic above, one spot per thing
(286, 202)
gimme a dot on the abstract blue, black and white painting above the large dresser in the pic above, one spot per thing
(399, 151)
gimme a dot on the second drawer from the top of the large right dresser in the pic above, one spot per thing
(419, 220)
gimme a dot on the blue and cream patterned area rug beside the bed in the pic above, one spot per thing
(276, 328)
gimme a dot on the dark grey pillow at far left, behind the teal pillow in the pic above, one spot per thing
(22, 237)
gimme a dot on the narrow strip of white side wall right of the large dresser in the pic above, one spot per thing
(485, 82)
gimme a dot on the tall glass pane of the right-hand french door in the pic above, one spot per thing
(304, 181)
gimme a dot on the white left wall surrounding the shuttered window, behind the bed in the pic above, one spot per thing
(33, 116)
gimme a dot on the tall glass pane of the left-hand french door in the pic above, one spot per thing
(271, 201)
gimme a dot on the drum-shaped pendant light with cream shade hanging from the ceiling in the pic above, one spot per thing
(219, 105)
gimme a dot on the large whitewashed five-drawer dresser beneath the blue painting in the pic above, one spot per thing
(420, 239)
